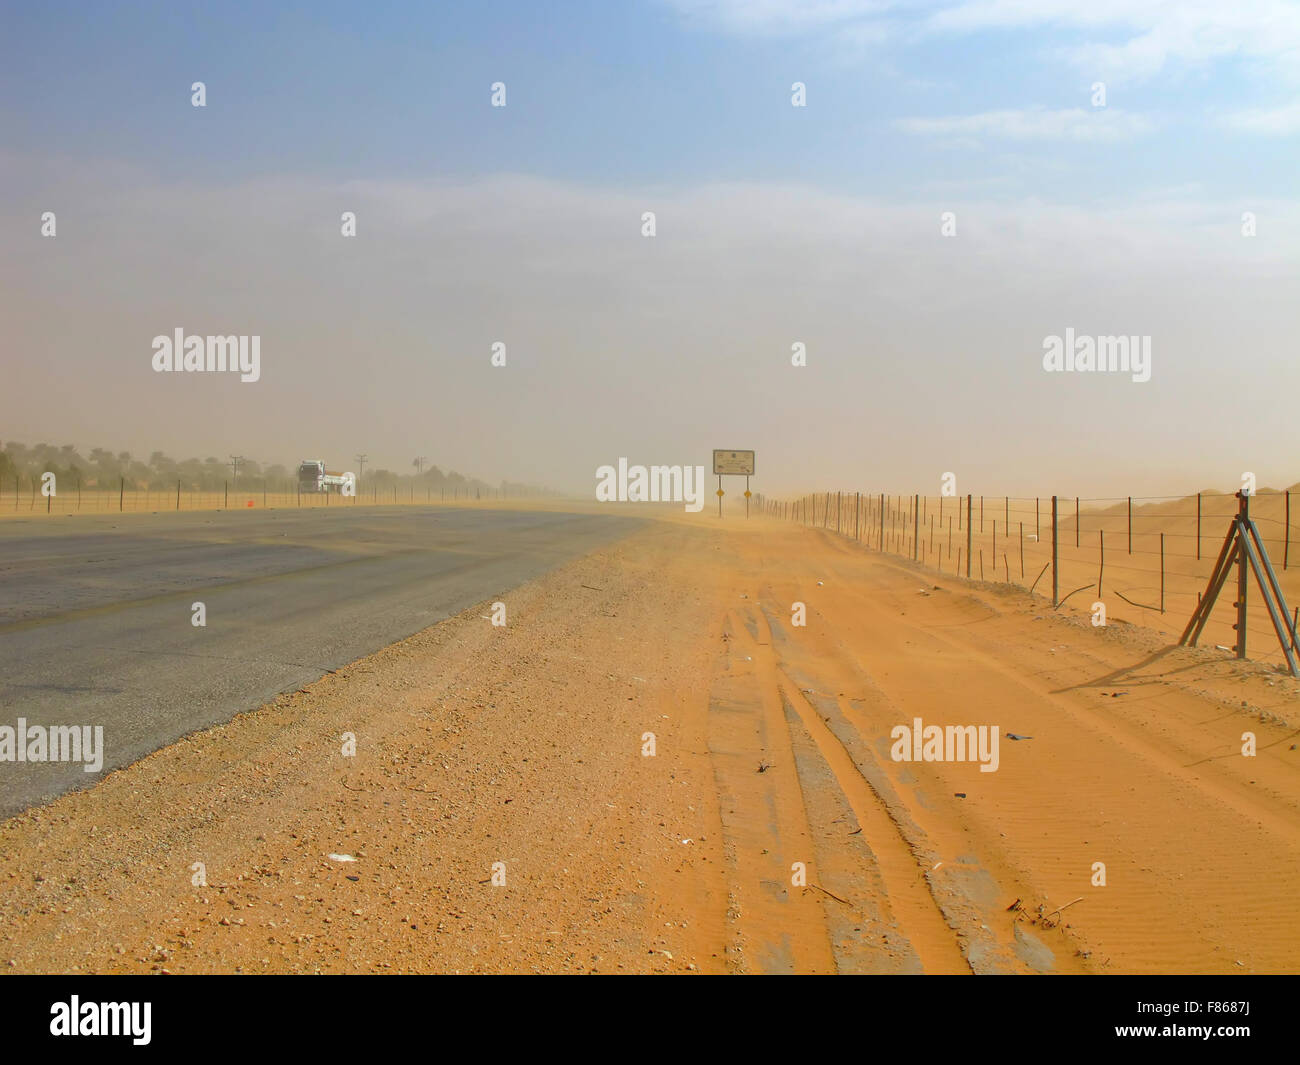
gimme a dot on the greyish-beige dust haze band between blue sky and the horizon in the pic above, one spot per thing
(924, 352)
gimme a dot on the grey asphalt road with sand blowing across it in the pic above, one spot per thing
(96, 612)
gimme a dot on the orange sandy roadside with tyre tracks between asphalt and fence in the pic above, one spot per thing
(518, 752)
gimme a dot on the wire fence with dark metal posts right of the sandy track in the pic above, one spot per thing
(1149, 560)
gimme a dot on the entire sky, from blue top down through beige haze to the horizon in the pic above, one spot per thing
(775, 226)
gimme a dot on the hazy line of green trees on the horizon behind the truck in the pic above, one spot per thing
(21, 465)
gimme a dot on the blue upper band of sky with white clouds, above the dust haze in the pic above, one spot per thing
(647, 93)
